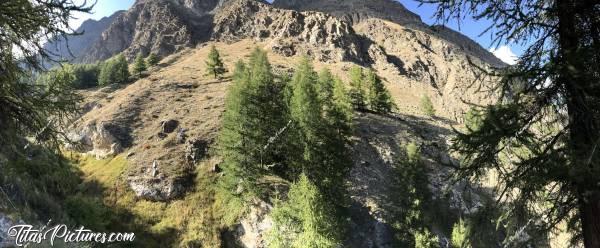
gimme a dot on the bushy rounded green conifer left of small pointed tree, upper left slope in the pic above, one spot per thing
(114, 71)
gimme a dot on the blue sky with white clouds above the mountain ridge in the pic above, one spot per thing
(469, 27)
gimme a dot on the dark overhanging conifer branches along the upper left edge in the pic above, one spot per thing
(25, 106)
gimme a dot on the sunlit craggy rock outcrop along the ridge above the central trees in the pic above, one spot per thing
(288, 32)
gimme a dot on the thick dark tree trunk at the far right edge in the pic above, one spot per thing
(583, 125)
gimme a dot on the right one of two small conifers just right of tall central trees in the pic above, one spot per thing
(379, 97)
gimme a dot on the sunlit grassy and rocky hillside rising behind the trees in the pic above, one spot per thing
(147, 150)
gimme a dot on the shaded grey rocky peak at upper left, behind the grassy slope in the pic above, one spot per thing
(158, 26)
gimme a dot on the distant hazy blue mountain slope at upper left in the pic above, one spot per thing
(76, 46)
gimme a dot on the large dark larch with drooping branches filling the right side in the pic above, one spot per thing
(550, 124)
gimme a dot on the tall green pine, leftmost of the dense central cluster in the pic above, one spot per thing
(254, 112)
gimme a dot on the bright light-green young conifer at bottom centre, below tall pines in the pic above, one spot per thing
(305, 219)
